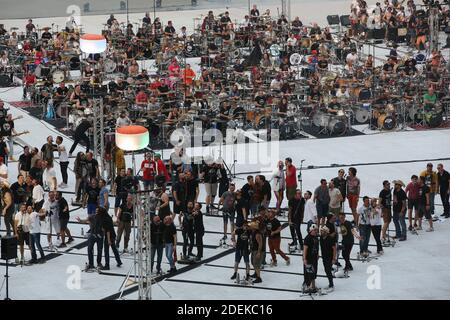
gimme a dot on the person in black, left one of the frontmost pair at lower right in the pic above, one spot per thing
(310, 259)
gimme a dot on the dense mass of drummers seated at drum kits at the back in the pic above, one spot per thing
(262, 72)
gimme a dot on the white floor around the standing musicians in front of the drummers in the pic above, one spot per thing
(415, 269)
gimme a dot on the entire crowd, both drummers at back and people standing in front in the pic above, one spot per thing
(33, 200)
